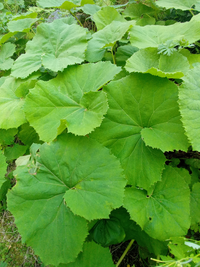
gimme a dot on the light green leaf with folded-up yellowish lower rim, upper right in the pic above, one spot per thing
(149, 61)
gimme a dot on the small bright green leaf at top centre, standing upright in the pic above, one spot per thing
(105, 16)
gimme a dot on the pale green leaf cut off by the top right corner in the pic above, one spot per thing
(178, 4)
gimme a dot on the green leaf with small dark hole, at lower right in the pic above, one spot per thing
(166, 212)
